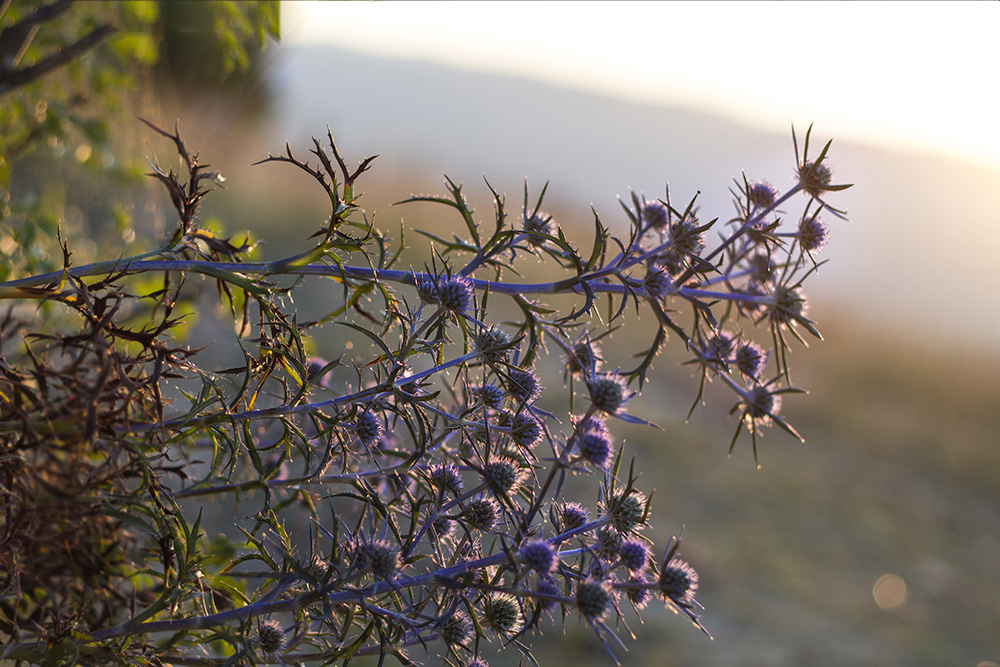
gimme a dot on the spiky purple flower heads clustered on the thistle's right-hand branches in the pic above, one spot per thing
(461, 468)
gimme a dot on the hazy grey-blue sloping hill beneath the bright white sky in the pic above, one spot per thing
(915, 254)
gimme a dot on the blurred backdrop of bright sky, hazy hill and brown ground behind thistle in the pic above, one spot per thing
(877, 542)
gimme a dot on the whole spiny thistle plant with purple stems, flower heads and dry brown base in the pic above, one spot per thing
(406, 497)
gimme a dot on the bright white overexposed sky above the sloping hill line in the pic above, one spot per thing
(917, 75)
